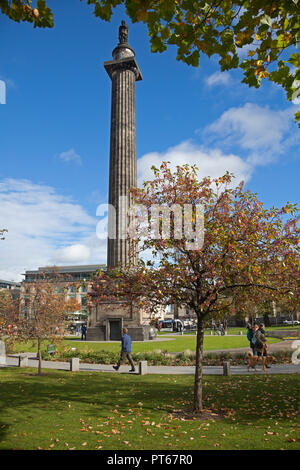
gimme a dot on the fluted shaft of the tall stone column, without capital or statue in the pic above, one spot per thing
(122, 173)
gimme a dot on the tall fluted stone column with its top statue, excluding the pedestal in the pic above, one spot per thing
(124, 72)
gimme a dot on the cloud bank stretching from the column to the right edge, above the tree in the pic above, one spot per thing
(242, 138)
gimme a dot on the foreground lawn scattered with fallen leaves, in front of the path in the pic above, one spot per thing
(69, 410)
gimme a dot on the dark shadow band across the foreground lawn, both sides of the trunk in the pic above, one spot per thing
(22, 393)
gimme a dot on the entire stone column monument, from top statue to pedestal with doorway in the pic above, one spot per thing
(107, 319)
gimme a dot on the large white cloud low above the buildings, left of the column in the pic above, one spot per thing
(44, 228)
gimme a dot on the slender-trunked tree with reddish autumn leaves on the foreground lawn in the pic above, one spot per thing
(247, 251)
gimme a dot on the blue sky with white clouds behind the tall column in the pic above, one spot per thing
(55, 128)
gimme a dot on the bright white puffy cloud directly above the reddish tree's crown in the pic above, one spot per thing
(210, 162)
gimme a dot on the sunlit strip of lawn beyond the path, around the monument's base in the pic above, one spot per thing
(171, 344)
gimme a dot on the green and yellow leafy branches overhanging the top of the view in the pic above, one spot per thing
(268, 30)
